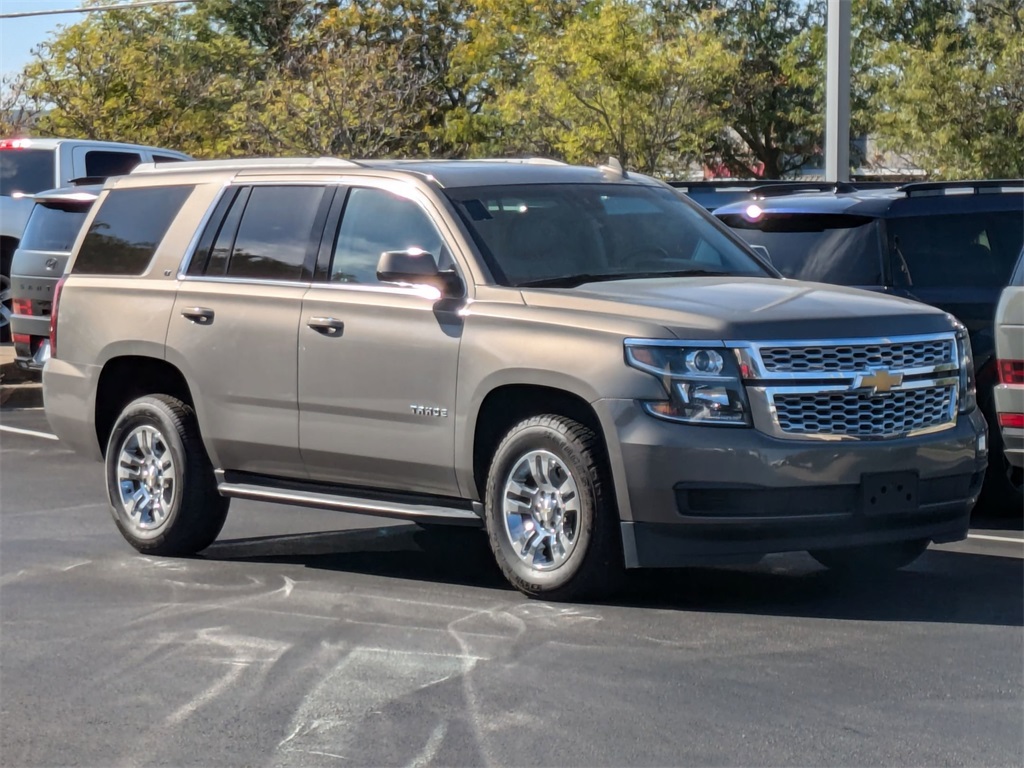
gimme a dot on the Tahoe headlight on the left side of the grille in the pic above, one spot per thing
(701, 380)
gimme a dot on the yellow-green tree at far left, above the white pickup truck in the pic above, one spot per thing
(160, 77)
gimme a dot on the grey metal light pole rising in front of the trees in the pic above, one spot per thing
(838, 93)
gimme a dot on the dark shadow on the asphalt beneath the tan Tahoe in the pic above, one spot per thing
(942, 587)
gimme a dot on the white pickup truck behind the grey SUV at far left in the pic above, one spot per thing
(29, 166)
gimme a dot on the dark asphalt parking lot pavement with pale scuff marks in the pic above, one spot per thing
(307, 638)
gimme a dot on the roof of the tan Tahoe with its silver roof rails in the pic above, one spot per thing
(448, 174)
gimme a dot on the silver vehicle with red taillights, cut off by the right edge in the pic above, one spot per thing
(1010, 353)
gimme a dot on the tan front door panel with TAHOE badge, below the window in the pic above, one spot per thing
(358, 388)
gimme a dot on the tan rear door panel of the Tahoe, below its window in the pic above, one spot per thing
(237, 346)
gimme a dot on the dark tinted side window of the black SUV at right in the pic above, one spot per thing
(966, 250)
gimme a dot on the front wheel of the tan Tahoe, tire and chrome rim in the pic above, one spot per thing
(550, 518)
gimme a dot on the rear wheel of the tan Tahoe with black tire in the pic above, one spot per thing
(194, 513)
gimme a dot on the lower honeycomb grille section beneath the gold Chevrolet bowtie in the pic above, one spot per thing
(860, 414)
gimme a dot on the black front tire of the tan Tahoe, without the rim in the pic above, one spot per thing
(594, 565)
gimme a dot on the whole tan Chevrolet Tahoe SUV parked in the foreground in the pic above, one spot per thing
(579, 360)
